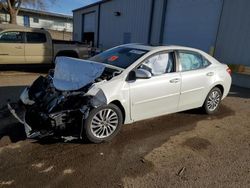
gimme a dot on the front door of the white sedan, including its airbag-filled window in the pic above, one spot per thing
(158, 95)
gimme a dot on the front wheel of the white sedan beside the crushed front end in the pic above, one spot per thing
(99, 128)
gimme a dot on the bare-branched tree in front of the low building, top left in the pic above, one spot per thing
(12, 7)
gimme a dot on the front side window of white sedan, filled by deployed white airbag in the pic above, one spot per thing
(160, 64)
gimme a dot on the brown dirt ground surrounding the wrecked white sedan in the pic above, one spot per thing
(186, 149)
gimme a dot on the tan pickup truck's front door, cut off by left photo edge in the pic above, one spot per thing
(12, 47)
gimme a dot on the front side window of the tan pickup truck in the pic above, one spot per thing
(11, 37)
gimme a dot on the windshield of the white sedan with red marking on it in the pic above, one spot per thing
(121, 57)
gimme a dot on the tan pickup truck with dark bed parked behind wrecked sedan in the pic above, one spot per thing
(22, 45)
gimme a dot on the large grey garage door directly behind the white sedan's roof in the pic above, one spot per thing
(192, 23)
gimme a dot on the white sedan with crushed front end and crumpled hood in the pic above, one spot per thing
(93, 98)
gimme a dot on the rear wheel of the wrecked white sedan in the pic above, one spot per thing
(212, 102)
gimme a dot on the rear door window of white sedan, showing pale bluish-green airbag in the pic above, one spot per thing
(190, 61)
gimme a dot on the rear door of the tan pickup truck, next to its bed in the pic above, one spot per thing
(37, 49)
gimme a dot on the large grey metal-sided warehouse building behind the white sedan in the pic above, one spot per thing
(220, 27)
